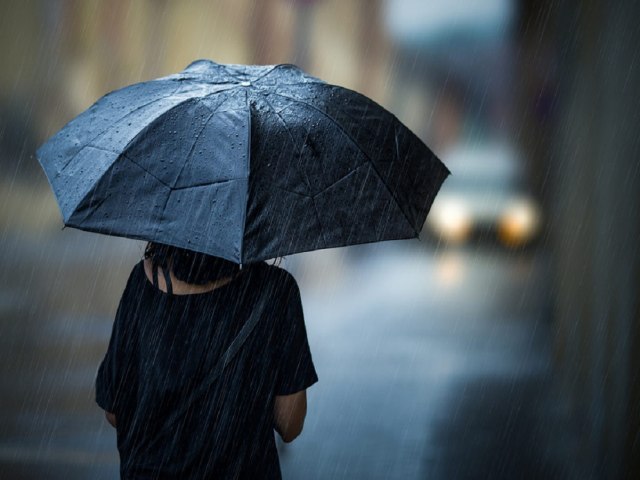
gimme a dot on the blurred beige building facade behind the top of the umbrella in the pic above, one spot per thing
(71, 52)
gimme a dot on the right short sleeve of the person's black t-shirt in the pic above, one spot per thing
(296, 370)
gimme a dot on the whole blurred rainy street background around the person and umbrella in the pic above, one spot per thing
(505, 343)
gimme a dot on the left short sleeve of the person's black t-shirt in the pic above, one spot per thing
(113, 372)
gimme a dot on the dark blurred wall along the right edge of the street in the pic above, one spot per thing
(580, 106)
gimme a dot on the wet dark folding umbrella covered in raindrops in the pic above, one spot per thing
(242, 162)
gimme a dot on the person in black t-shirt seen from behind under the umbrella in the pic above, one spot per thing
(177, 317)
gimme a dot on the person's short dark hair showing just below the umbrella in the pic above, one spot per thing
(189, 266)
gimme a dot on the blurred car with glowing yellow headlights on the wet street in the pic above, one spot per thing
(485, 198)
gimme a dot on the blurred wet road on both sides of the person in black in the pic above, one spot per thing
(432, 364)
